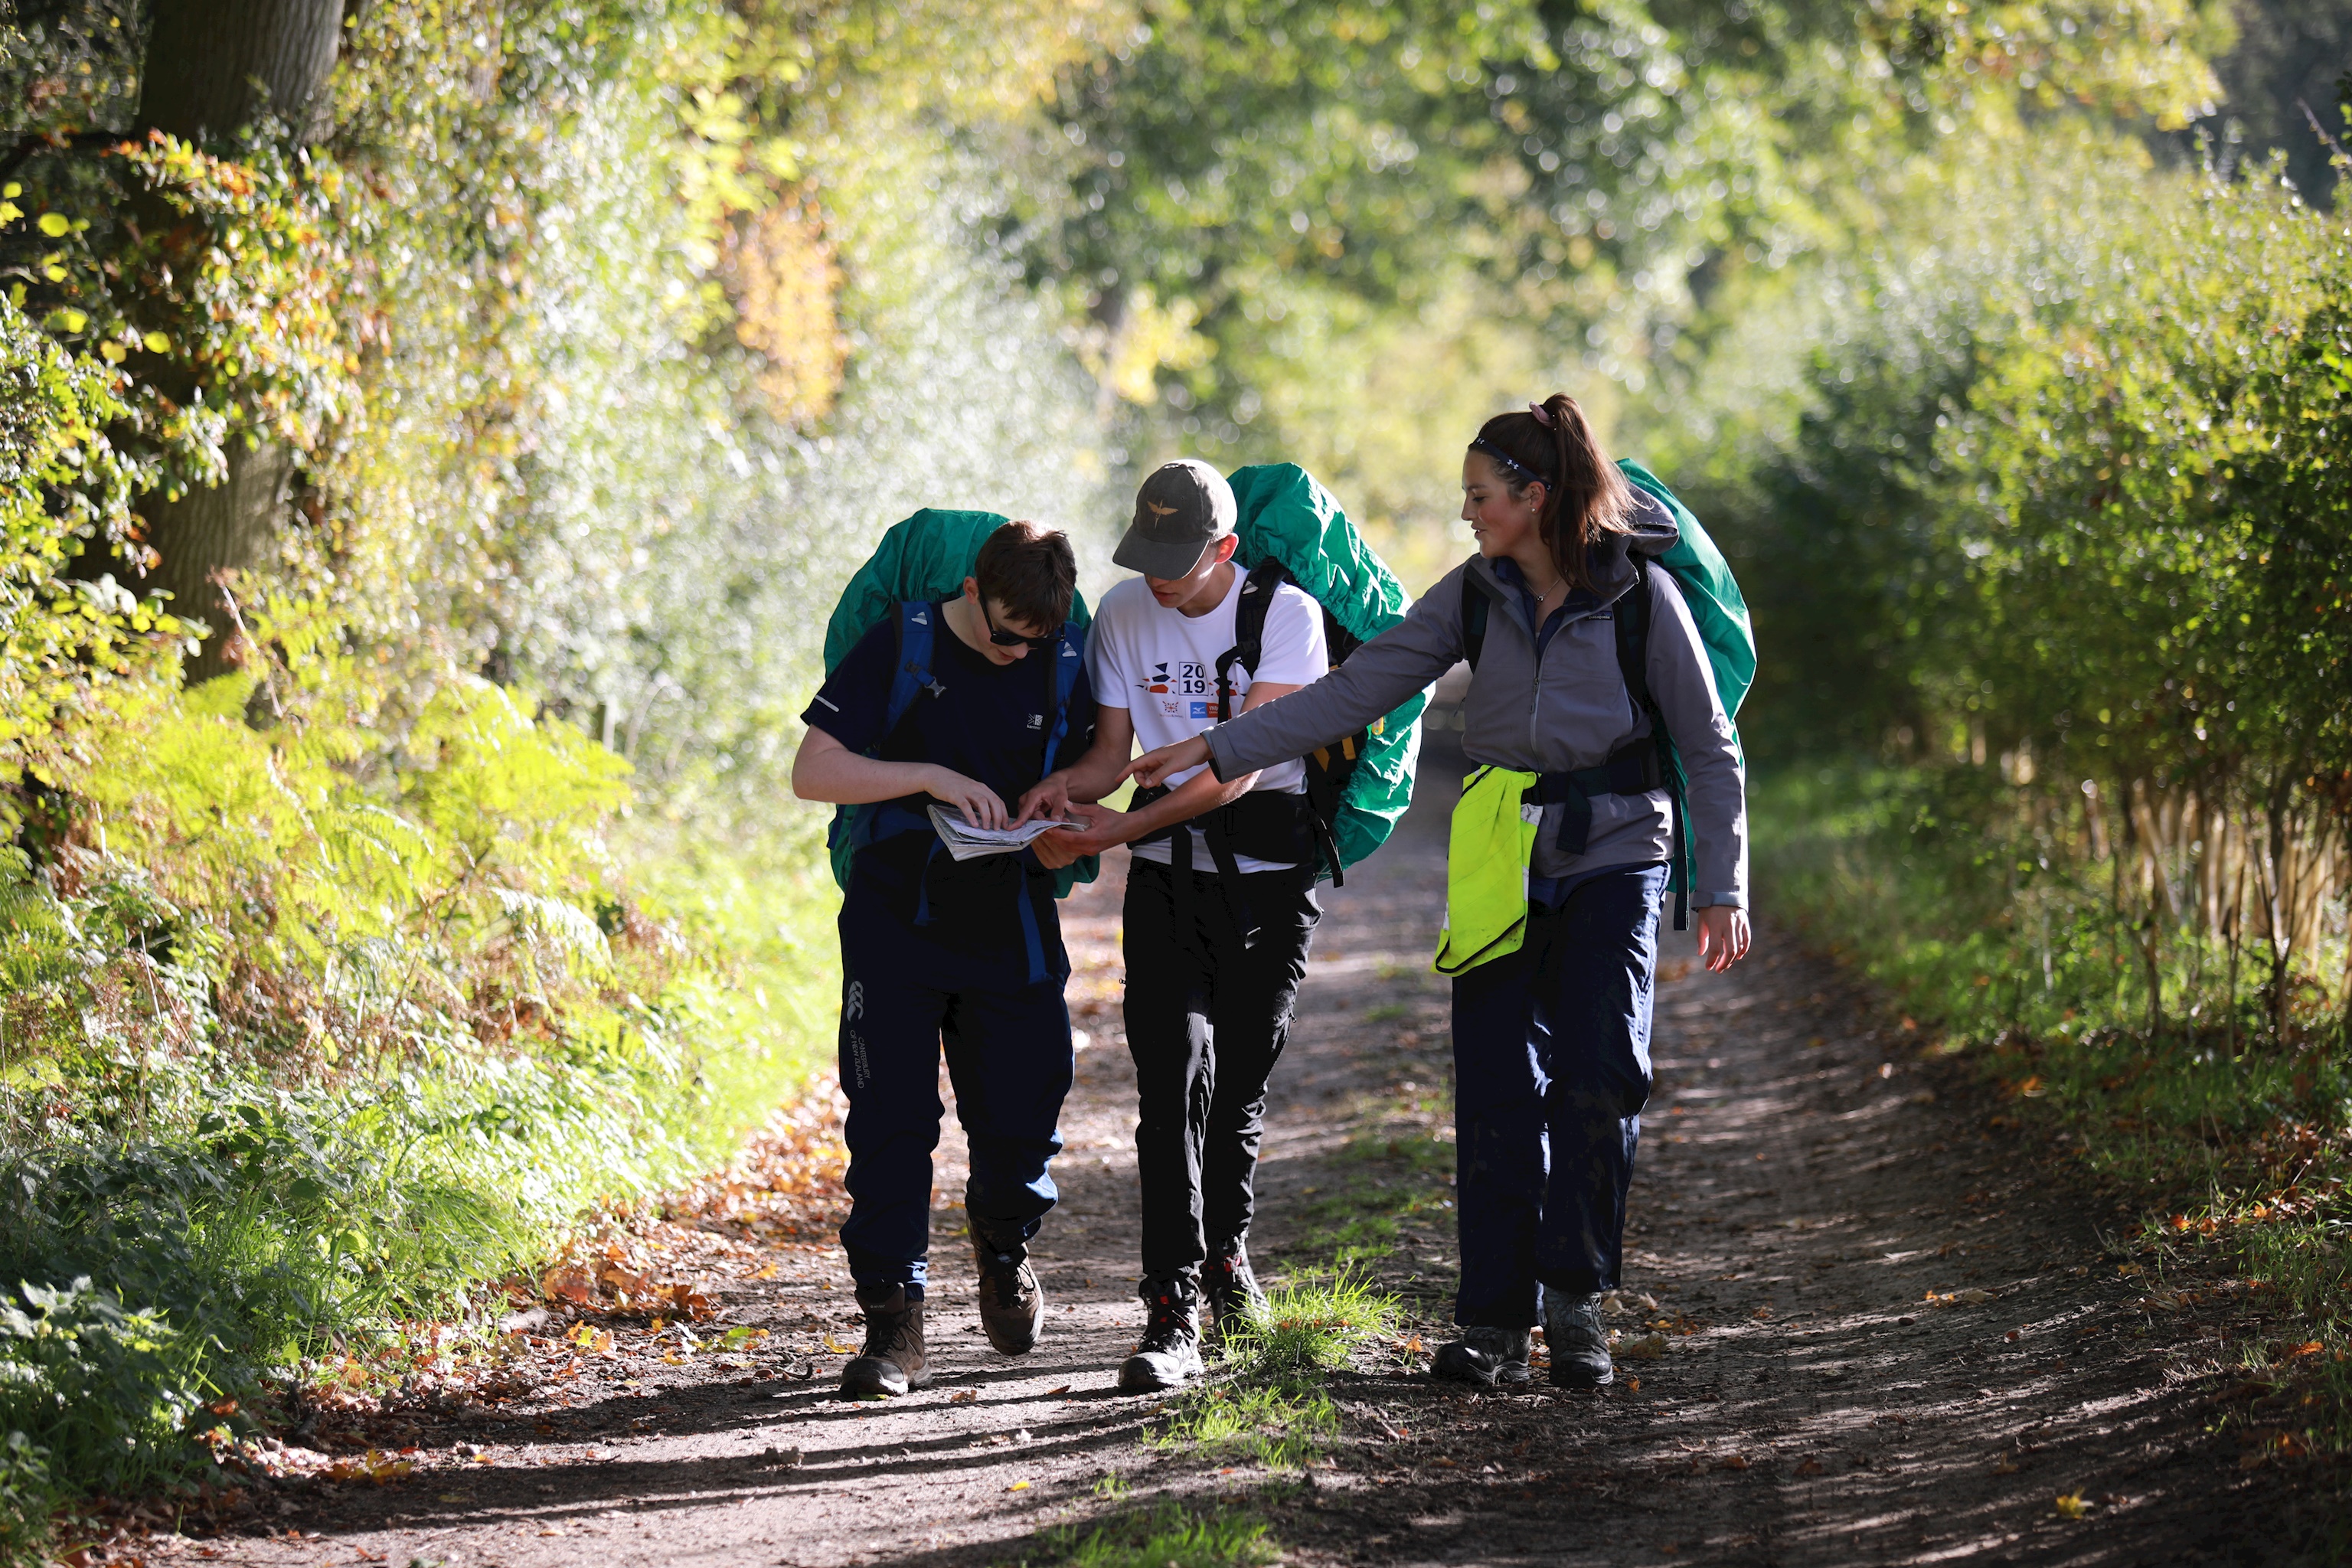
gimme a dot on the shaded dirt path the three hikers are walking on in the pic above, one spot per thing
(1805, 1188)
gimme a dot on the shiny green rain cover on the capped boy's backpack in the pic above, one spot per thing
(1290, 518)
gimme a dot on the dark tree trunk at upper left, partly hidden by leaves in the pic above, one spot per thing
(213, 67)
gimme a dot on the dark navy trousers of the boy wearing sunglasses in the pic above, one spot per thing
(907, 996)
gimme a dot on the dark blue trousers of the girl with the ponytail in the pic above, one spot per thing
(1551, 1071)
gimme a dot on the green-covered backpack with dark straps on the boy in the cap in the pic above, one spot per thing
(1295, 532)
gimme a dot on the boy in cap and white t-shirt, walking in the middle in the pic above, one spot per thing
(1220, 894)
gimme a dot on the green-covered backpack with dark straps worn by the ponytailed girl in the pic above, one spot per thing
(1720, 615)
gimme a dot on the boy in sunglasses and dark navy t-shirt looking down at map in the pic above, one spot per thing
(951, 953)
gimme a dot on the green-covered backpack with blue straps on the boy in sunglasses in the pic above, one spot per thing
(918, 563)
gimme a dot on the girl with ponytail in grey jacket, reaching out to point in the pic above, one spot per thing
(1582, 662)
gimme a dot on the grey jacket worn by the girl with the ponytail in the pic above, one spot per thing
(1570, 713)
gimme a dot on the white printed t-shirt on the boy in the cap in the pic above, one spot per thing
(1161, 666)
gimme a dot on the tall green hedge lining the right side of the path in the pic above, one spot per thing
(2071, 500)
